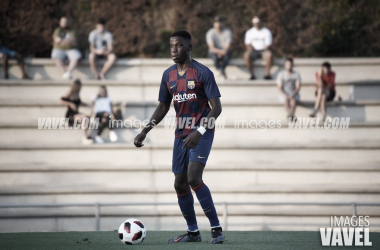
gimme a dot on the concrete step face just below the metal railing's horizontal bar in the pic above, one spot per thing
(172, 210)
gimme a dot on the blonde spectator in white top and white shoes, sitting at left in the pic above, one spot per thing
(103, 110)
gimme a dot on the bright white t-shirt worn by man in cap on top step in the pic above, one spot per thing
(259, 39)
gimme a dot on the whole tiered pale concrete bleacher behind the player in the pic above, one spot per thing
(245, 165)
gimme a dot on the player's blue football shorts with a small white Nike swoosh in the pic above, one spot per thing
(182, 156)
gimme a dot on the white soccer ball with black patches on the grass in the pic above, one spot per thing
(132, 232)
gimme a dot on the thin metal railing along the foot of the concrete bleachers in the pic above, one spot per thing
(225, 205)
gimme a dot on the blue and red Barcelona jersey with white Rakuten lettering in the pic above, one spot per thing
(190, 94)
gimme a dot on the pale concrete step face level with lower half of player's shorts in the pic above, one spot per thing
(162, 156)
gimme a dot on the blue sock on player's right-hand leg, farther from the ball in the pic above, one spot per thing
(205, 199)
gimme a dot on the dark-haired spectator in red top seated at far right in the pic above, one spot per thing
(325, 89)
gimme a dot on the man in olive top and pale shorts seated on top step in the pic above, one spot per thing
(65, 46)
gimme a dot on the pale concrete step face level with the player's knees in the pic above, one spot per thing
(154, 181)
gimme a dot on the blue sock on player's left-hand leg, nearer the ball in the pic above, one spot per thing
(186, 204)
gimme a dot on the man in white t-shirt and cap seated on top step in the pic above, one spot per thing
(258, 42)
